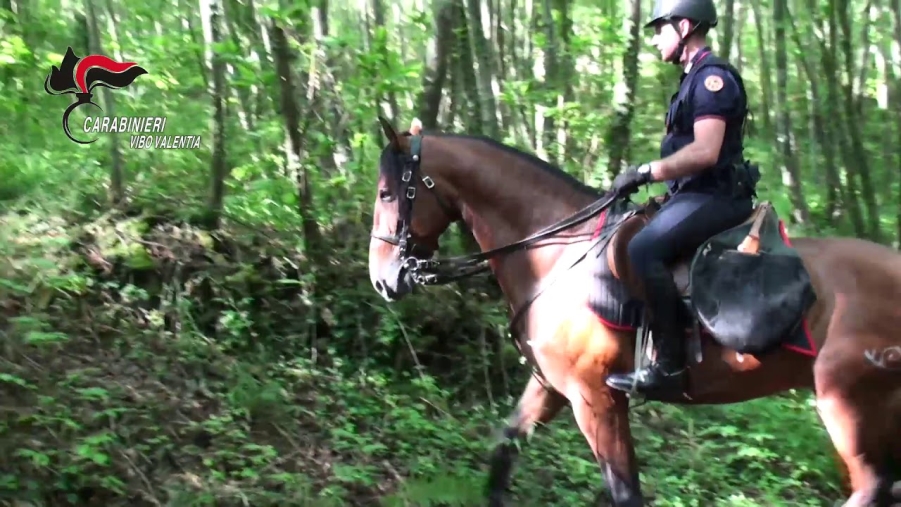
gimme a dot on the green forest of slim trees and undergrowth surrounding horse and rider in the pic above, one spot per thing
(188, 320)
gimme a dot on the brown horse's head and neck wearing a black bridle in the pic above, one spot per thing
(515, 204)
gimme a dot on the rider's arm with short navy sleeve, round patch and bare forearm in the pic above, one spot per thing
(716, 97)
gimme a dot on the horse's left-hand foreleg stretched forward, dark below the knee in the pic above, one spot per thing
(537, 405)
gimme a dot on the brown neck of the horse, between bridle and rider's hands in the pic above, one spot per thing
(504, 198)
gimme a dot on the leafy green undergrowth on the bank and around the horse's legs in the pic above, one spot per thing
(146, 362)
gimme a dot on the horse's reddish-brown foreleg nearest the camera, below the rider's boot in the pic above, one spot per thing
(603, 418)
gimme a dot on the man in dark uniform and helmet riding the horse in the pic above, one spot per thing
(710, 186)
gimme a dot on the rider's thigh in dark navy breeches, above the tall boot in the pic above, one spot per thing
(683, 223)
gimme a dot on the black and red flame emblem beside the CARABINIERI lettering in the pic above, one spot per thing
(81, 75)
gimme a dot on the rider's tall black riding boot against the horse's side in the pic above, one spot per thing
(665, 374)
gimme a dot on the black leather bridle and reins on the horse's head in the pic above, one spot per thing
(448, 270)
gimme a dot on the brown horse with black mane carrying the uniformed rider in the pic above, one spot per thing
(561, 283)
